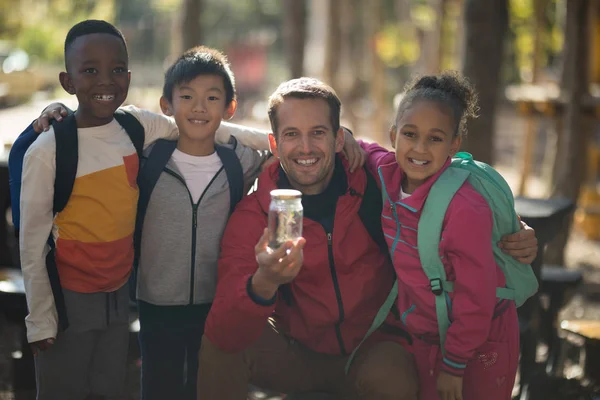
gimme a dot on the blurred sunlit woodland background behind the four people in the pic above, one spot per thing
(535, 65)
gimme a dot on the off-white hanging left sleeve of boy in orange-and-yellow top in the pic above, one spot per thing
(37, 218)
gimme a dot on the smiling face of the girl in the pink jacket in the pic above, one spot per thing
(424, 139)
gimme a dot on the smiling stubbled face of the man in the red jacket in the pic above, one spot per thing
(306, 144)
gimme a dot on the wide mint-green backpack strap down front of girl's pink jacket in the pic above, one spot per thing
(428, 238)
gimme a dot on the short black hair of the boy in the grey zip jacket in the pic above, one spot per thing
(198, 61)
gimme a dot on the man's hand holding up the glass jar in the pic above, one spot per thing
(277, 267)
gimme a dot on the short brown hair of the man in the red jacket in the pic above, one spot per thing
(305, 88)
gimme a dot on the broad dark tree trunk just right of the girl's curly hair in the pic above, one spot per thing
(482, 65)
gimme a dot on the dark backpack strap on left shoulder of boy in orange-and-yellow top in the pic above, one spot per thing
(67, 146)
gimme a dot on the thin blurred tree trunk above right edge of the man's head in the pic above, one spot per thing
(333, 43)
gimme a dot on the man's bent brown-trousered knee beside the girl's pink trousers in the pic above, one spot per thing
(385, 371)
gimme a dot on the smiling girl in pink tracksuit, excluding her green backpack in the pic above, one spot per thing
(482, 342)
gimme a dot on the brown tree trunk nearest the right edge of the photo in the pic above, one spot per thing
(571, 158)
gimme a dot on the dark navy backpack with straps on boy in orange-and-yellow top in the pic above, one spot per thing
(67, 158)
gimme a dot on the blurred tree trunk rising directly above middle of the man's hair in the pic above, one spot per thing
(294, 32)
